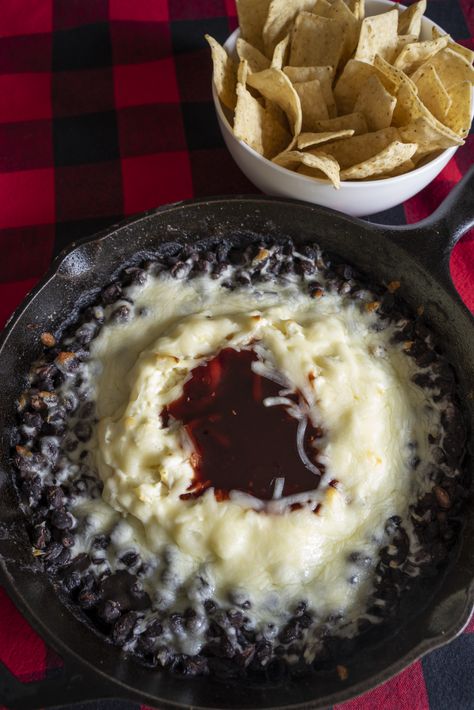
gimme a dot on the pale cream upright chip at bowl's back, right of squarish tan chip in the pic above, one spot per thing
(378, 35)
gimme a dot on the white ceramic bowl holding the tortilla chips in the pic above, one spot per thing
(354, 198)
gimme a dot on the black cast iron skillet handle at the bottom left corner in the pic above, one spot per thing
(67, 688)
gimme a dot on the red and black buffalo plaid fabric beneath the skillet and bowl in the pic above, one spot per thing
(106, 111)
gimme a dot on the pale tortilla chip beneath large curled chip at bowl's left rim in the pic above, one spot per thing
(256, 126)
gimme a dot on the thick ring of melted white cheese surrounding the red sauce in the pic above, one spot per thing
(356, 385)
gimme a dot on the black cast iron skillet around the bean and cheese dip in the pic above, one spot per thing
(418, 256)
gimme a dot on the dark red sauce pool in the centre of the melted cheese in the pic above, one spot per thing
(241, 444)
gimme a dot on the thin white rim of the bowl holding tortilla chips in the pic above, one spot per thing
(319, 182)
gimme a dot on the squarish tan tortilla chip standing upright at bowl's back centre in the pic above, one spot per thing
(316, 41)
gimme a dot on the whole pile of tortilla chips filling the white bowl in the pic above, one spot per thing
(320, 89)
